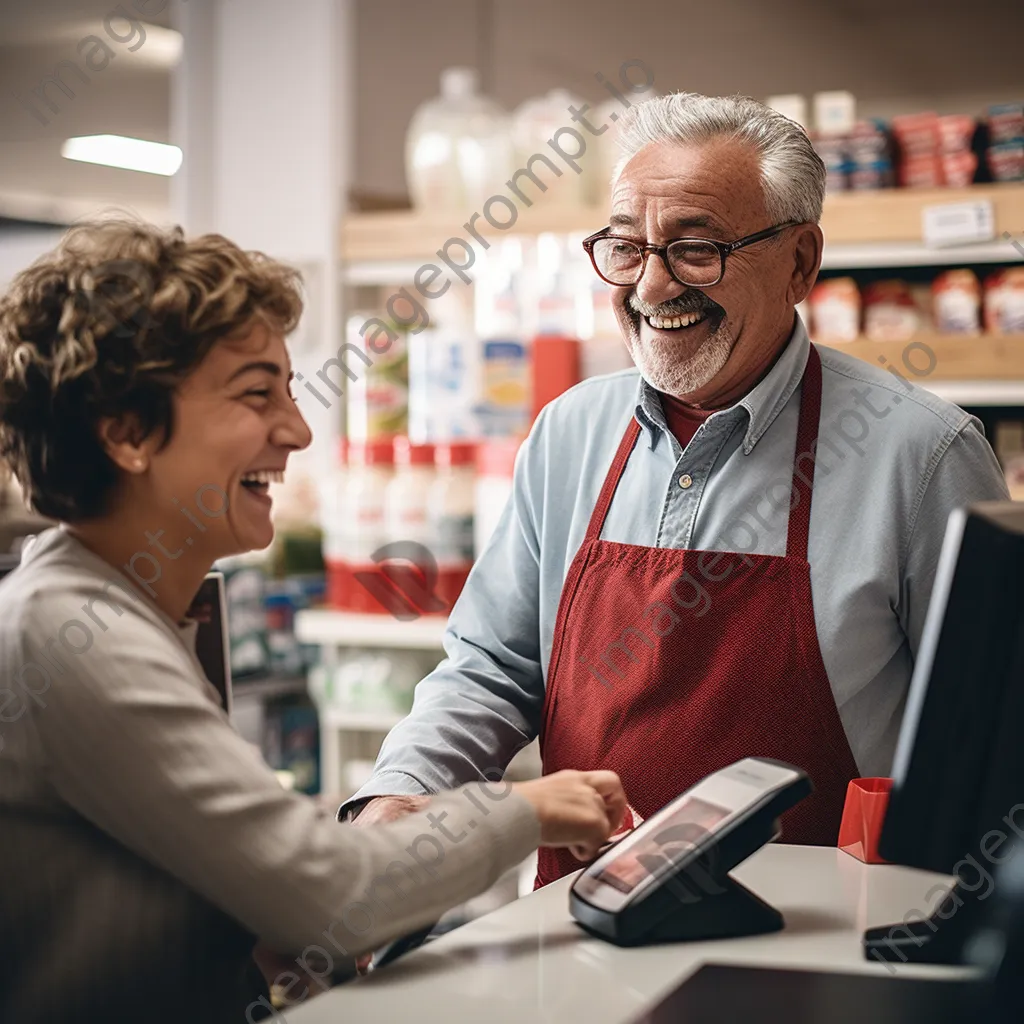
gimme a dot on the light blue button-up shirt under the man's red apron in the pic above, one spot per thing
(892, 462)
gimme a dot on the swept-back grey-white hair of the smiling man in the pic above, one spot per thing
(792, 174)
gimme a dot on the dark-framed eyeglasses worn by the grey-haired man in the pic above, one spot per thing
(694, 263)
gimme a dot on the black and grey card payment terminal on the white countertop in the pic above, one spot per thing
(668, 880)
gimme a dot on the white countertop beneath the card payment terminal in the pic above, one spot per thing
(531, 962)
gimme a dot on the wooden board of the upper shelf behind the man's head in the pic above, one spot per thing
(886, 218)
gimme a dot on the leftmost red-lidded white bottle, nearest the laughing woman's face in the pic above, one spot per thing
(359, 533)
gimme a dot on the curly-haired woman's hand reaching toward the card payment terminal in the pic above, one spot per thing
(578, 809)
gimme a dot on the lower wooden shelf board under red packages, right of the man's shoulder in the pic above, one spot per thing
(988, 358)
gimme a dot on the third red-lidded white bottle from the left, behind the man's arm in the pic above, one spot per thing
(451, 507)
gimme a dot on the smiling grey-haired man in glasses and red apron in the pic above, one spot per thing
(726, 552)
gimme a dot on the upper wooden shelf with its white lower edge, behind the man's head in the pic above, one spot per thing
(865, 229)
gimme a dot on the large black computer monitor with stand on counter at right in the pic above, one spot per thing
(959, 771)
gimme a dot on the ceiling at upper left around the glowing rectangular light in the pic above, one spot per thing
(115, 81)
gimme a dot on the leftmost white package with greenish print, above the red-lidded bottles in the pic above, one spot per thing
(378, 398)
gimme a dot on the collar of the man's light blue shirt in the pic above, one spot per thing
(762, 404)
